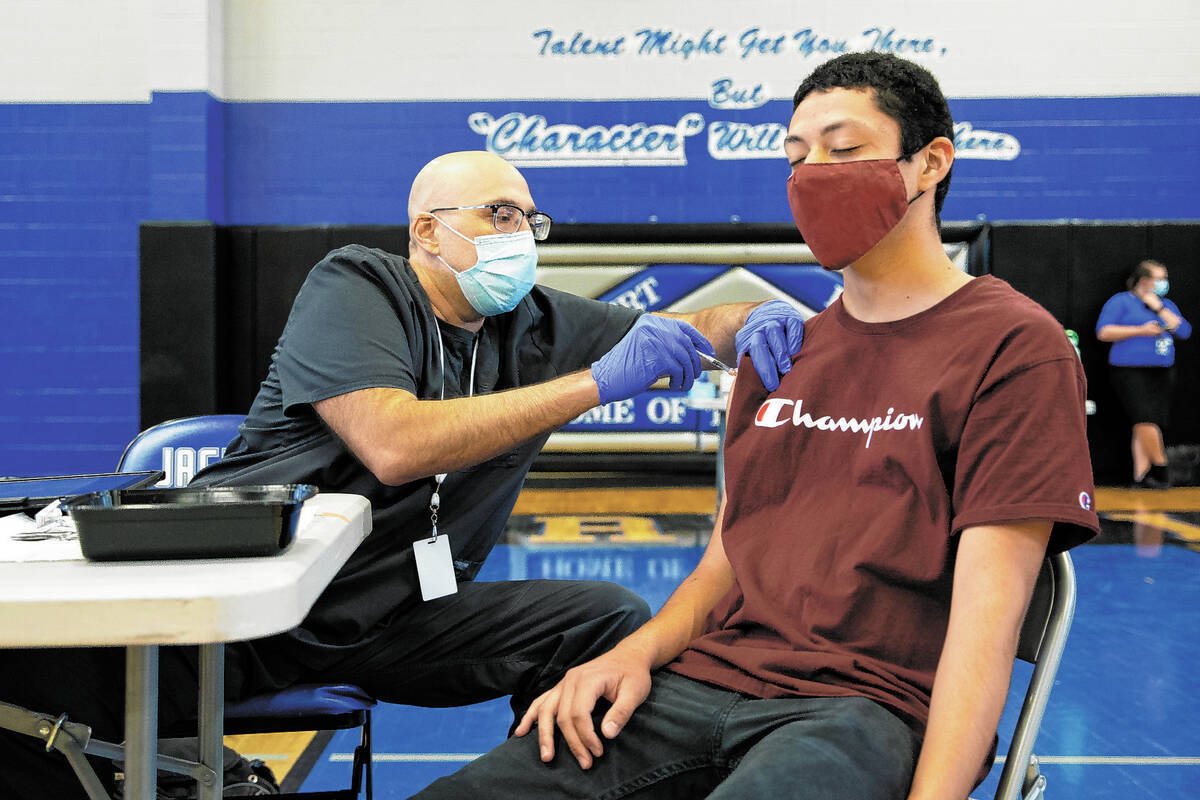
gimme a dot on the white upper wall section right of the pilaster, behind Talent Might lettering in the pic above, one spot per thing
(465, 50)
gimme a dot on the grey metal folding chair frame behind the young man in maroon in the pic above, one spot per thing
(1043, 640)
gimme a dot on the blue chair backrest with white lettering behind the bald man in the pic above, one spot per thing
(181, 448)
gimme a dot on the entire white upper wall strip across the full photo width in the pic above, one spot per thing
(92, 51)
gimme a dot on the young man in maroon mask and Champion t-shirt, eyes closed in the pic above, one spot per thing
(850, 630)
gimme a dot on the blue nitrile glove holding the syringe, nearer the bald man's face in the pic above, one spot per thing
(655, 347)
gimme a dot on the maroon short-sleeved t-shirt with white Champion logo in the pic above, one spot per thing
(849, 485)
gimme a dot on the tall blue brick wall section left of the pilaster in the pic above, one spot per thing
(74, 185)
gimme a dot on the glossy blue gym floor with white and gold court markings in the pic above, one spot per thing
(1123, 720)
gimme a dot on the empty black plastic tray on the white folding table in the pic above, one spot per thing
(219, 522)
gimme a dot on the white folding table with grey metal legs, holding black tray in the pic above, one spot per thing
(143, 605)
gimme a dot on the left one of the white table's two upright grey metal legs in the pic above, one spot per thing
(141, 721)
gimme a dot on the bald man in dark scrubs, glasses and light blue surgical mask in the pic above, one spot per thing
(407, 380)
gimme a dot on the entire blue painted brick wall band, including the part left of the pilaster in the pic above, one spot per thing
(77, 179)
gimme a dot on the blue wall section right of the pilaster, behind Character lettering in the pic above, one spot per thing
(1097, 159)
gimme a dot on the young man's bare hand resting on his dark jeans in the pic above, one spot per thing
(622, 676)
